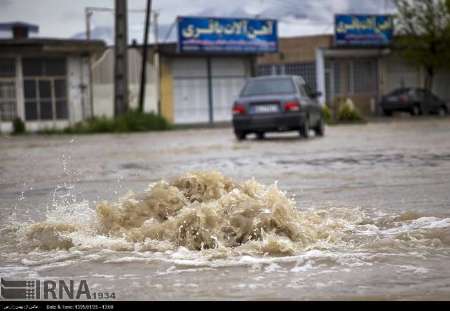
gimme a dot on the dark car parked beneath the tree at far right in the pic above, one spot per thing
(416, 101)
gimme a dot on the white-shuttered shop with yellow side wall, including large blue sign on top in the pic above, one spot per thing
(203, 73)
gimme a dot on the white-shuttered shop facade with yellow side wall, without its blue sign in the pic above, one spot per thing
(200, 88)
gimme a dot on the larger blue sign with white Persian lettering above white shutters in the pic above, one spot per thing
(227, 35)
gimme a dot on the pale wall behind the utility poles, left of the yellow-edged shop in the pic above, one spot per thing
(103, 86)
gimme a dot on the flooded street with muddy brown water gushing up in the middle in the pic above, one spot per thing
(362, 213)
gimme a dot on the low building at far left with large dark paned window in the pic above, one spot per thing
(45, 82)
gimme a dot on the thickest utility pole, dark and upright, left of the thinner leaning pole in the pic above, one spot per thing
(121, 58)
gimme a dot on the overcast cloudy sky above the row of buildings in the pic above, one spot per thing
(66, 19)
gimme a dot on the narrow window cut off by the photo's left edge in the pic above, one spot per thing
(7, 89)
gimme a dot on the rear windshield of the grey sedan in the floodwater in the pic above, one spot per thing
(268, 86)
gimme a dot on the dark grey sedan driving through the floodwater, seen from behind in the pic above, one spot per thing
(277, 103)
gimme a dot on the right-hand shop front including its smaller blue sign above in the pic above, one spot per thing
(352, 66)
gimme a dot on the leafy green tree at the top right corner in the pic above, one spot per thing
(423, 27)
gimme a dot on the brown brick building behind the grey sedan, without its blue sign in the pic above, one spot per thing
(363, 73)
